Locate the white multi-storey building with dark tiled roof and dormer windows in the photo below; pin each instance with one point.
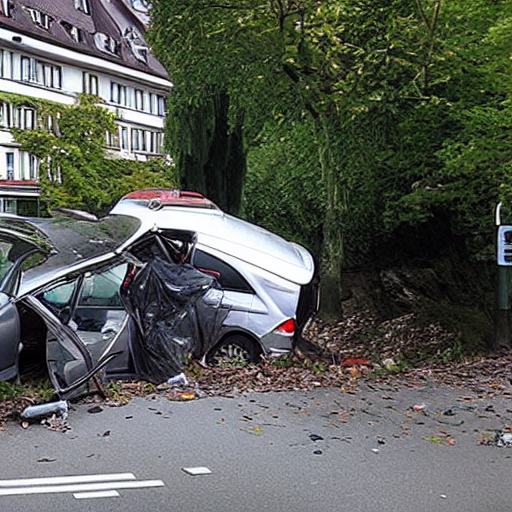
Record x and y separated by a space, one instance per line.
56 49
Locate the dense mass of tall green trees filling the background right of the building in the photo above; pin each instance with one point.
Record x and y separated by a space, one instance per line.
377 133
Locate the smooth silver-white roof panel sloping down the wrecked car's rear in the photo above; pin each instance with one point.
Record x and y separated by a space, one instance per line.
224 233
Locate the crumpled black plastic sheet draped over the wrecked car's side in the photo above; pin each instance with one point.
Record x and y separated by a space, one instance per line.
178 312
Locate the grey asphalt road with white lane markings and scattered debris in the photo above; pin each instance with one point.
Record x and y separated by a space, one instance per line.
378 450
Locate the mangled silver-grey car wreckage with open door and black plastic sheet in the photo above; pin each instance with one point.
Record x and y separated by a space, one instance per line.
165 276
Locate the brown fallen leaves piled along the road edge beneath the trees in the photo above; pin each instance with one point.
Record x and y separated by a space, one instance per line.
338 355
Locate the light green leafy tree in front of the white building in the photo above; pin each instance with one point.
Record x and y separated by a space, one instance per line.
75 171
